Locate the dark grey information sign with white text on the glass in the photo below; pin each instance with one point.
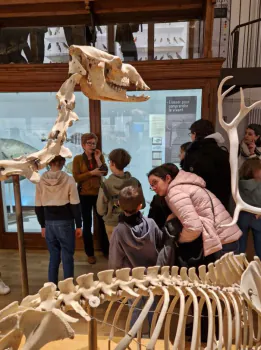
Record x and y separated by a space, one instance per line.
180 114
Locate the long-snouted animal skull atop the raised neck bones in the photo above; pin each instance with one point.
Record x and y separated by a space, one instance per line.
104 76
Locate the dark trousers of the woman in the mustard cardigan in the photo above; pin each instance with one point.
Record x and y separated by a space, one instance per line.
88 205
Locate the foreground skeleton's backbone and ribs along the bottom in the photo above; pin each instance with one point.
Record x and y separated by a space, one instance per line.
231 285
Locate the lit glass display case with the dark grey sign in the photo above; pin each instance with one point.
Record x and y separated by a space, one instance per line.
151 132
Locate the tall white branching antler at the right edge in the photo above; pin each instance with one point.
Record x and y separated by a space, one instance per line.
231 129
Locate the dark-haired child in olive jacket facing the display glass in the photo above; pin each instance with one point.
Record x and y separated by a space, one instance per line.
107 203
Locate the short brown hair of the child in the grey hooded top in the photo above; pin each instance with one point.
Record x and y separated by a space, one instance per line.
130 198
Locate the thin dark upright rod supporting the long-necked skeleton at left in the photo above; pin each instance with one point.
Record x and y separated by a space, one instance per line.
20 233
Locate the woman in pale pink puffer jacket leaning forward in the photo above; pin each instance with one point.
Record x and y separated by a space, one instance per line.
199 211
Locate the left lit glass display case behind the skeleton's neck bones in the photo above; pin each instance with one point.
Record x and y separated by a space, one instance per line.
26 119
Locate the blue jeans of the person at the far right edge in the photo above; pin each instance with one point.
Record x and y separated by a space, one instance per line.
246 222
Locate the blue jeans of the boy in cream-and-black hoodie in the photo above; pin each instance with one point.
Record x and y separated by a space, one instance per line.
60 238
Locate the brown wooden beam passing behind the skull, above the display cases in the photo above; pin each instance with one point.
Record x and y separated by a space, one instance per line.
49 77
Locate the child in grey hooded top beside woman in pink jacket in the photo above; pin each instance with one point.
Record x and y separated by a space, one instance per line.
136 240
